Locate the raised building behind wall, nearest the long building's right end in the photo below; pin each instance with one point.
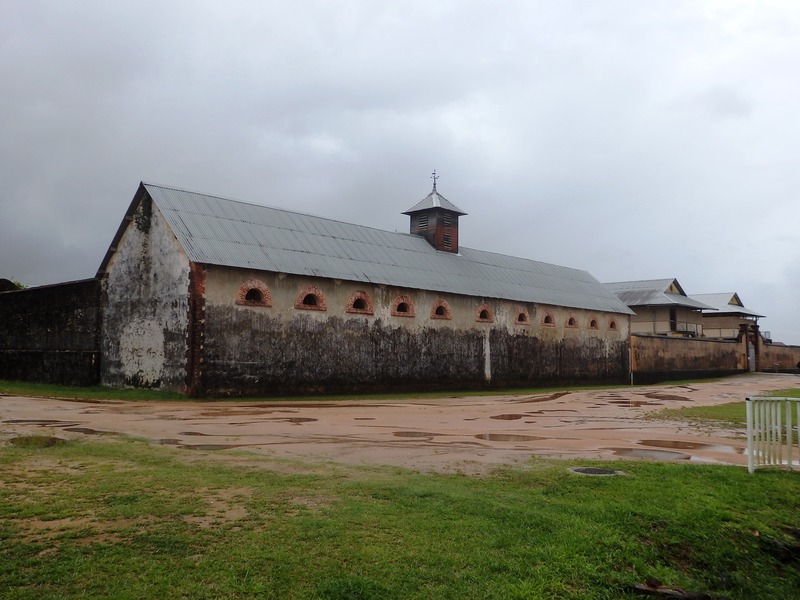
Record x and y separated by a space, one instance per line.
661 307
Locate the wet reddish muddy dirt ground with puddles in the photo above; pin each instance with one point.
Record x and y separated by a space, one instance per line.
456 434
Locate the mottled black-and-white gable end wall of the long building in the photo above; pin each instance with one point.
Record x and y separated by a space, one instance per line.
145 324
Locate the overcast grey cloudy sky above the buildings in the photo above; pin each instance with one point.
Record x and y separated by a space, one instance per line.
635 140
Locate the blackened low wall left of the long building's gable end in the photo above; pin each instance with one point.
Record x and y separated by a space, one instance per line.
51 334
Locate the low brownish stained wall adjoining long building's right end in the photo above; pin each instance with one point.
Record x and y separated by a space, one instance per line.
657 358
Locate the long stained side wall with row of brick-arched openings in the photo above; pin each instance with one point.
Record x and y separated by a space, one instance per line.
281 348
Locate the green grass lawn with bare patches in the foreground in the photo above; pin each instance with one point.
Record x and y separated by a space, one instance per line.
119 518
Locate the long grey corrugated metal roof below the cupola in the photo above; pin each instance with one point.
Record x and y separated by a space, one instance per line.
225 232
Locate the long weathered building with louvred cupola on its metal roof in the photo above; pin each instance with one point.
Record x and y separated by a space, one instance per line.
212 295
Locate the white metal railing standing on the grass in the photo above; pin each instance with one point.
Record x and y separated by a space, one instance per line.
773 437
